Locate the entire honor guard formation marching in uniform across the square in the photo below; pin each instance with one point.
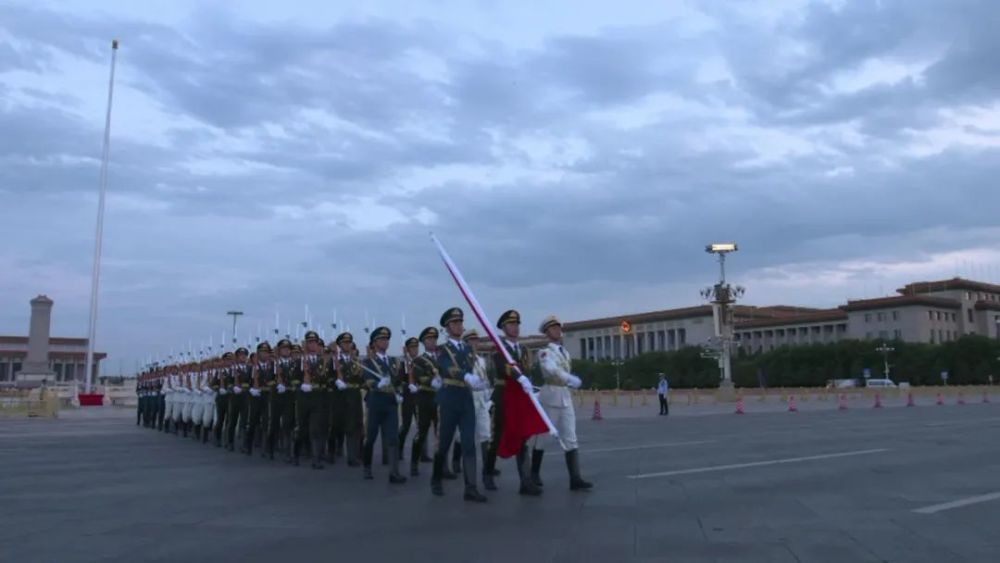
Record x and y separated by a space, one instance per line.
328 403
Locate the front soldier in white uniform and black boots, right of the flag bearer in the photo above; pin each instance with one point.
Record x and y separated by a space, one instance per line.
555 363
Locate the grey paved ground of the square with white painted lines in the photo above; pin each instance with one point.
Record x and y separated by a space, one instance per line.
816 485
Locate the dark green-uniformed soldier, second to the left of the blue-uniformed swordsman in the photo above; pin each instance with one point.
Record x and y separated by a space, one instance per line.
311 401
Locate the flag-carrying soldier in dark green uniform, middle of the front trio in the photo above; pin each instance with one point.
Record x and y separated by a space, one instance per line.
510 323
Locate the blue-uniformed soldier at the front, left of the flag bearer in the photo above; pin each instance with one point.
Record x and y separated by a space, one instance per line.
455 383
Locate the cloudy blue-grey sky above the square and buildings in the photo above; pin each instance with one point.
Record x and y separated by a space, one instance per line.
269 155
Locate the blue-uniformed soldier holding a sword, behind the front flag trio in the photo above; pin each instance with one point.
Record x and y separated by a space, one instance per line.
383 382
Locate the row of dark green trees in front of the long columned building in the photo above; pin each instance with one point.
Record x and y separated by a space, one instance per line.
969 360
